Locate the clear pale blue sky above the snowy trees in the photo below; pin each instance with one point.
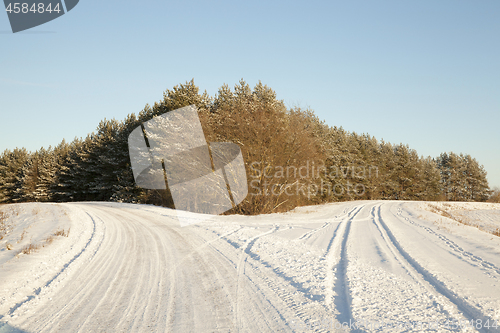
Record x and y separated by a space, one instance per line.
423 73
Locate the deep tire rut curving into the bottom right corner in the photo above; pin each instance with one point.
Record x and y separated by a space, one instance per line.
428 280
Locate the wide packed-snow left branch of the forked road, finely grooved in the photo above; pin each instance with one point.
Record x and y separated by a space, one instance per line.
130 287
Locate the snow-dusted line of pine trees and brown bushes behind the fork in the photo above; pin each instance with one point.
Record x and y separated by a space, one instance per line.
291 157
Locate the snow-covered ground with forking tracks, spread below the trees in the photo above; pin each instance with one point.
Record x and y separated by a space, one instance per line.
365 266
